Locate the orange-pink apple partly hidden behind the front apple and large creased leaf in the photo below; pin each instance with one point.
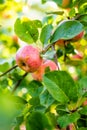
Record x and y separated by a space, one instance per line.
40 72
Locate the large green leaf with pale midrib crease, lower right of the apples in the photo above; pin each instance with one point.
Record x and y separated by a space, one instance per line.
61 86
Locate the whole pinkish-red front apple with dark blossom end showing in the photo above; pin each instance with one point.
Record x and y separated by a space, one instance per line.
28 58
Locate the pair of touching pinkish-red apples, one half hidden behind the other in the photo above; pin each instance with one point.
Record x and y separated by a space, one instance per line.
28 59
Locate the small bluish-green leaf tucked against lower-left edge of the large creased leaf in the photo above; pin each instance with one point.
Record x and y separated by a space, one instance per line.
46 99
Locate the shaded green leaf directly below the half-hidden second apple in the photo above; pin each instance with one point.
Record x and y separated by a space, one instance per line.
35 88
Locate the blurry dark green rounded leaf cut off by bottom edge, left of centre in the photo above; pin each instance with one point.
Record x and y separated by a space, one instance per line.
38 121
